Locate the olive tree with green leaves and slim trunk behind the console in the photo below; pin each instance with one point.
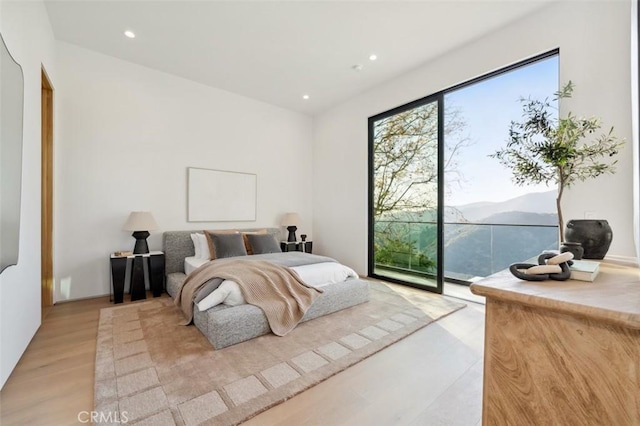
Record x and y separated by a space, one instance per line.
547 148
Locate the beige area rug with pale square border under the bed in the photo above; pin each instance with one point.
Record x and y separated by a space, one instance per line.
152 371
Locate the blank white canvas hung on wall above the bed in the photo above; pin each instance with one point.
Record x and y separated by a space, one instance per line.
221 196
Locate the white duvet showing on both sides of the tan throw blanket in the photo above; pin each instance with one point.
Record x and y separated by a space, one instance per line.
316 275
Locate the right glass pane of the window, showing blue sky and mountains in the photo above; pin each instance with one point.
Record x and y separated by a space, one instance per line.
490 221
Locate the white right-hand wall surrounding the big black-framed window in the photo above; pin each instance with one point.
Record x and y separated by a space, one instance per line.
593 38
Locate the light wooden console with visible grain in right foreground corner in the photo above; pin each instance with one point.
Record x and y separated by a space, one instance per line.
562 352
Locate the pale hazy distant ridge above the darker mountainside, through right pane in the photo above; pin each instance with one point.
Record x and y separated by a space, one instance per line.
536 202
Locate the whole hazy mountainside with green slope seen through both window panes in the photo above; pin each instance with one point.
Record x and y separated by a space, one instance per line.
483 238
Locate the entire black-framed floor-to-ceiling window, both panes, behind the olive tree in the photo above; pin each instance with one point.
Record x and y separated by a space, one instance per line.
440 207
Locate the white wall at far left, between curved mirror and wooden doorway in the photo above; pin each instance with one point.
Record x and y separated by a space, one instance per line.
28 35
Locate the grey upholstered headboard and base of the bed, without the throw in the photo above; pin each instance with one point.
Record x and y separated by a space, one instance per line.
225 325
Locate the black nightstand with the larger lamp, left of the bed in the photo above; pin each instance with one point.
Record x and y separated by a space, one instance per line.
155 269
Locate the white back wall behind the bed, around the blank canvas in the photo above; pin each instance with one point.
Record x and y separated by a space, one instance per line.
126 137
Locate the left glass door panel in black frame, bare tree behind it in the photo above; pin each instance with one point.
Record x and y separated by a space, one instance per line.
405 195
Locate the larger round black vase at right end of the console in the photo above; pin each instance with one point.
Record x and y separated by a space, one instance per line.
595 235
